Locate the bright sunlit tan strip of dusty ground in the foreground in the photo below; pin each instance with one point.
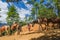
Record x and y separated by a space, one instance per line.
22 37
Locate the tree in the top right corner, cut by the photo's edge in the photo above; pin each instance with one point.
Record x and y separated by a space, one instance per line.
56 3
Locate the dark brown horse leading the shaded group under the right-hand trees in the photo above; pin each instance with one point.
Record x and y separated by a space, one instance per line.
42 23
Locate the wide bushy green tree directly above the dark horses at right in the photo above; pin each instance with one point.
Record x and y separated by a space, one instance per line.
46 10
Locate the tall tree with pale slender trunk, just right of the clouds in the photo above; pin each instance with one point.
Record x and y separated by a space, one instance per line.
34 9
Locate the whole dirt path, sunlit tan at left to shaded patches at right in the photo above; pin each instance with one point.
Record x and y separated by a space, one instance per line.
28 35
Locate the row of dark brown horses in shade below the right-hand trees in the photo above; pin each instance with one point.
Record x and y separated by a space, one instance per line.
47 23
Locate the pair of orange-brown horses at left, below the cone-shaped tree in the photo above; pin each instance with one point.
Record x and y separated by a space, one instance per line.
7 30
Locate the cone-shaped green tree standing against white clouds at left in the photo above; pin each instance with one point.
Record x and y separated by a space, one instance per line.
12 15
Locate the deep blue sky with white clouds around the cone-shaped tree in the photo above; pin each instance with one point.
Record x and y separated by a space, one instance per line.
22 8
